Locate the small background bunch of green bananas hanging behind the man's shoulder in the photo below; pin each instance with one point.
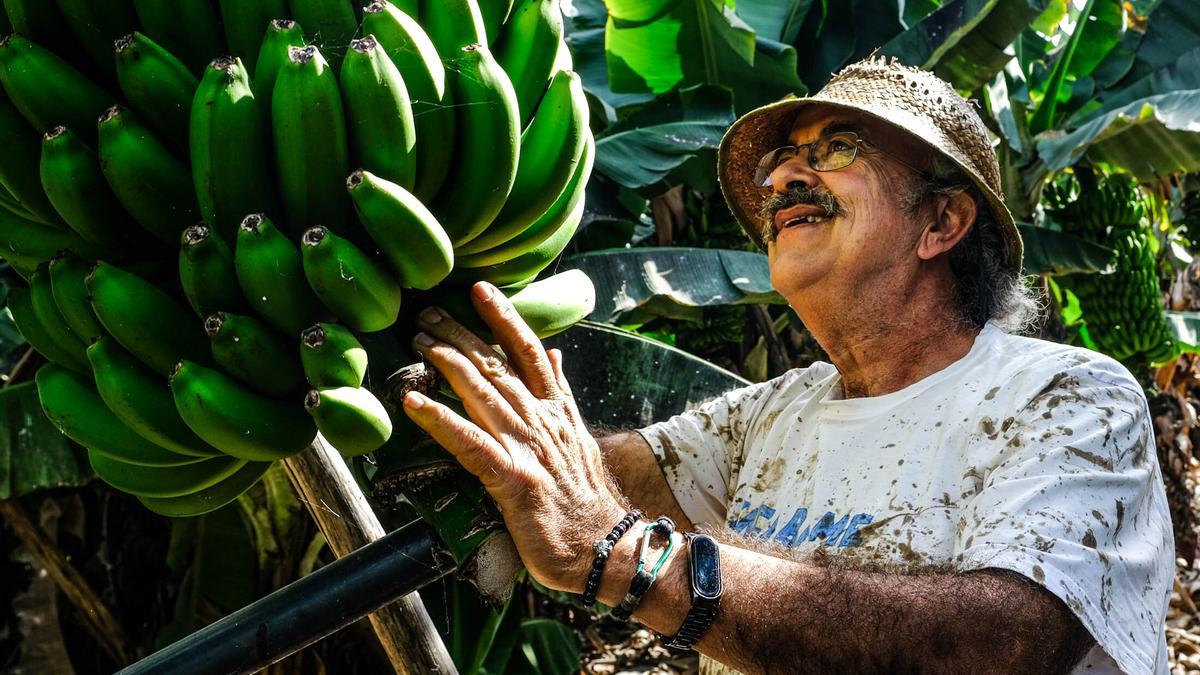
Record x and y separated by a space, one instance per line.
1123 310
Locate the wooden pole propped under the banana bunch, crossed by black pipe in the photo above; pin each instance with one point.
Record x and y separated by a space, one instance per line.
343 513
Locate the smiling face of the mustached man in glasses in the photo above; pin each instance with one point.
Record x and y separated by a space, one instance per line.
871 231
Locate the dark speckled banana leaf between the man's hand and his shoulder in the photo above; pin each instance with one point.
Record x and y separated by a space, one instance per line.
639 381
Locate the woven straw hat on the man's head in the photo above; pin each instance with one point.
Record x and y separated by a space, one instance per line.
916 101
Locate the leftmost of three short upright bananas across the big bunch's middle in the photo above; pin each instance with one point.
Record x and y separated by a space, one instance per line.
207 273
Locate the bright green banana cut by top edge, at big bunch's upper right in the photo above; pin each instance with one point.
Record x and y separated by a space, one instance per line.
529 49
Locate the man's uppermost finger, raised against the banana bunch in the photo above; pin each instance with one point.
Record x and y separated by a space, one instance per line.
519 342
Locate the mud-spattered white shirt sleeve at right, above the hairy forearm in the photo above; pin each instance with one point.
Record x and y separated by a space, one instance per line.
1075 501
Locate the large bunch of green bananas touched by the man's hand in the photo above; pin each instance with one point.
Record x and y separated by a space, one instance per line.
218 208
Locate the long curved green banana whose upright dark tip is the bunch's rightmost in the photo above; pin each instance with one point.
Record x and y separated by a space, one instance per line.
476 192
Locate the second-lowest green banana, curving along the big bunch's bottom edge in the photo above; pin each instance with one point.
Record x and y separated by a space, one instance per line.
163 481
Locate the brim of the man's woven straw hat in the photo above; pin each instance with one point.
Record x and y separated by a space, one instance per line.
767 128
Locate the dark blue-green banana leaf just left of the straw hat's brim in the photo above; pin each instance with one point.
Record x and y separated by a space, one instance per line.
646 147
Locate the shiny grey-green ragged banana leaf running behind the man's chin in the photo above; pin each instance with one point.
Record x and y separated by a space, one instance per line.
637 284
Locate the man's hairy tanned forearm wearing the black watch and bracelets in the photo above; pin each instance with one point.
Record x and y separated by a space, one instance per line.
785 617
